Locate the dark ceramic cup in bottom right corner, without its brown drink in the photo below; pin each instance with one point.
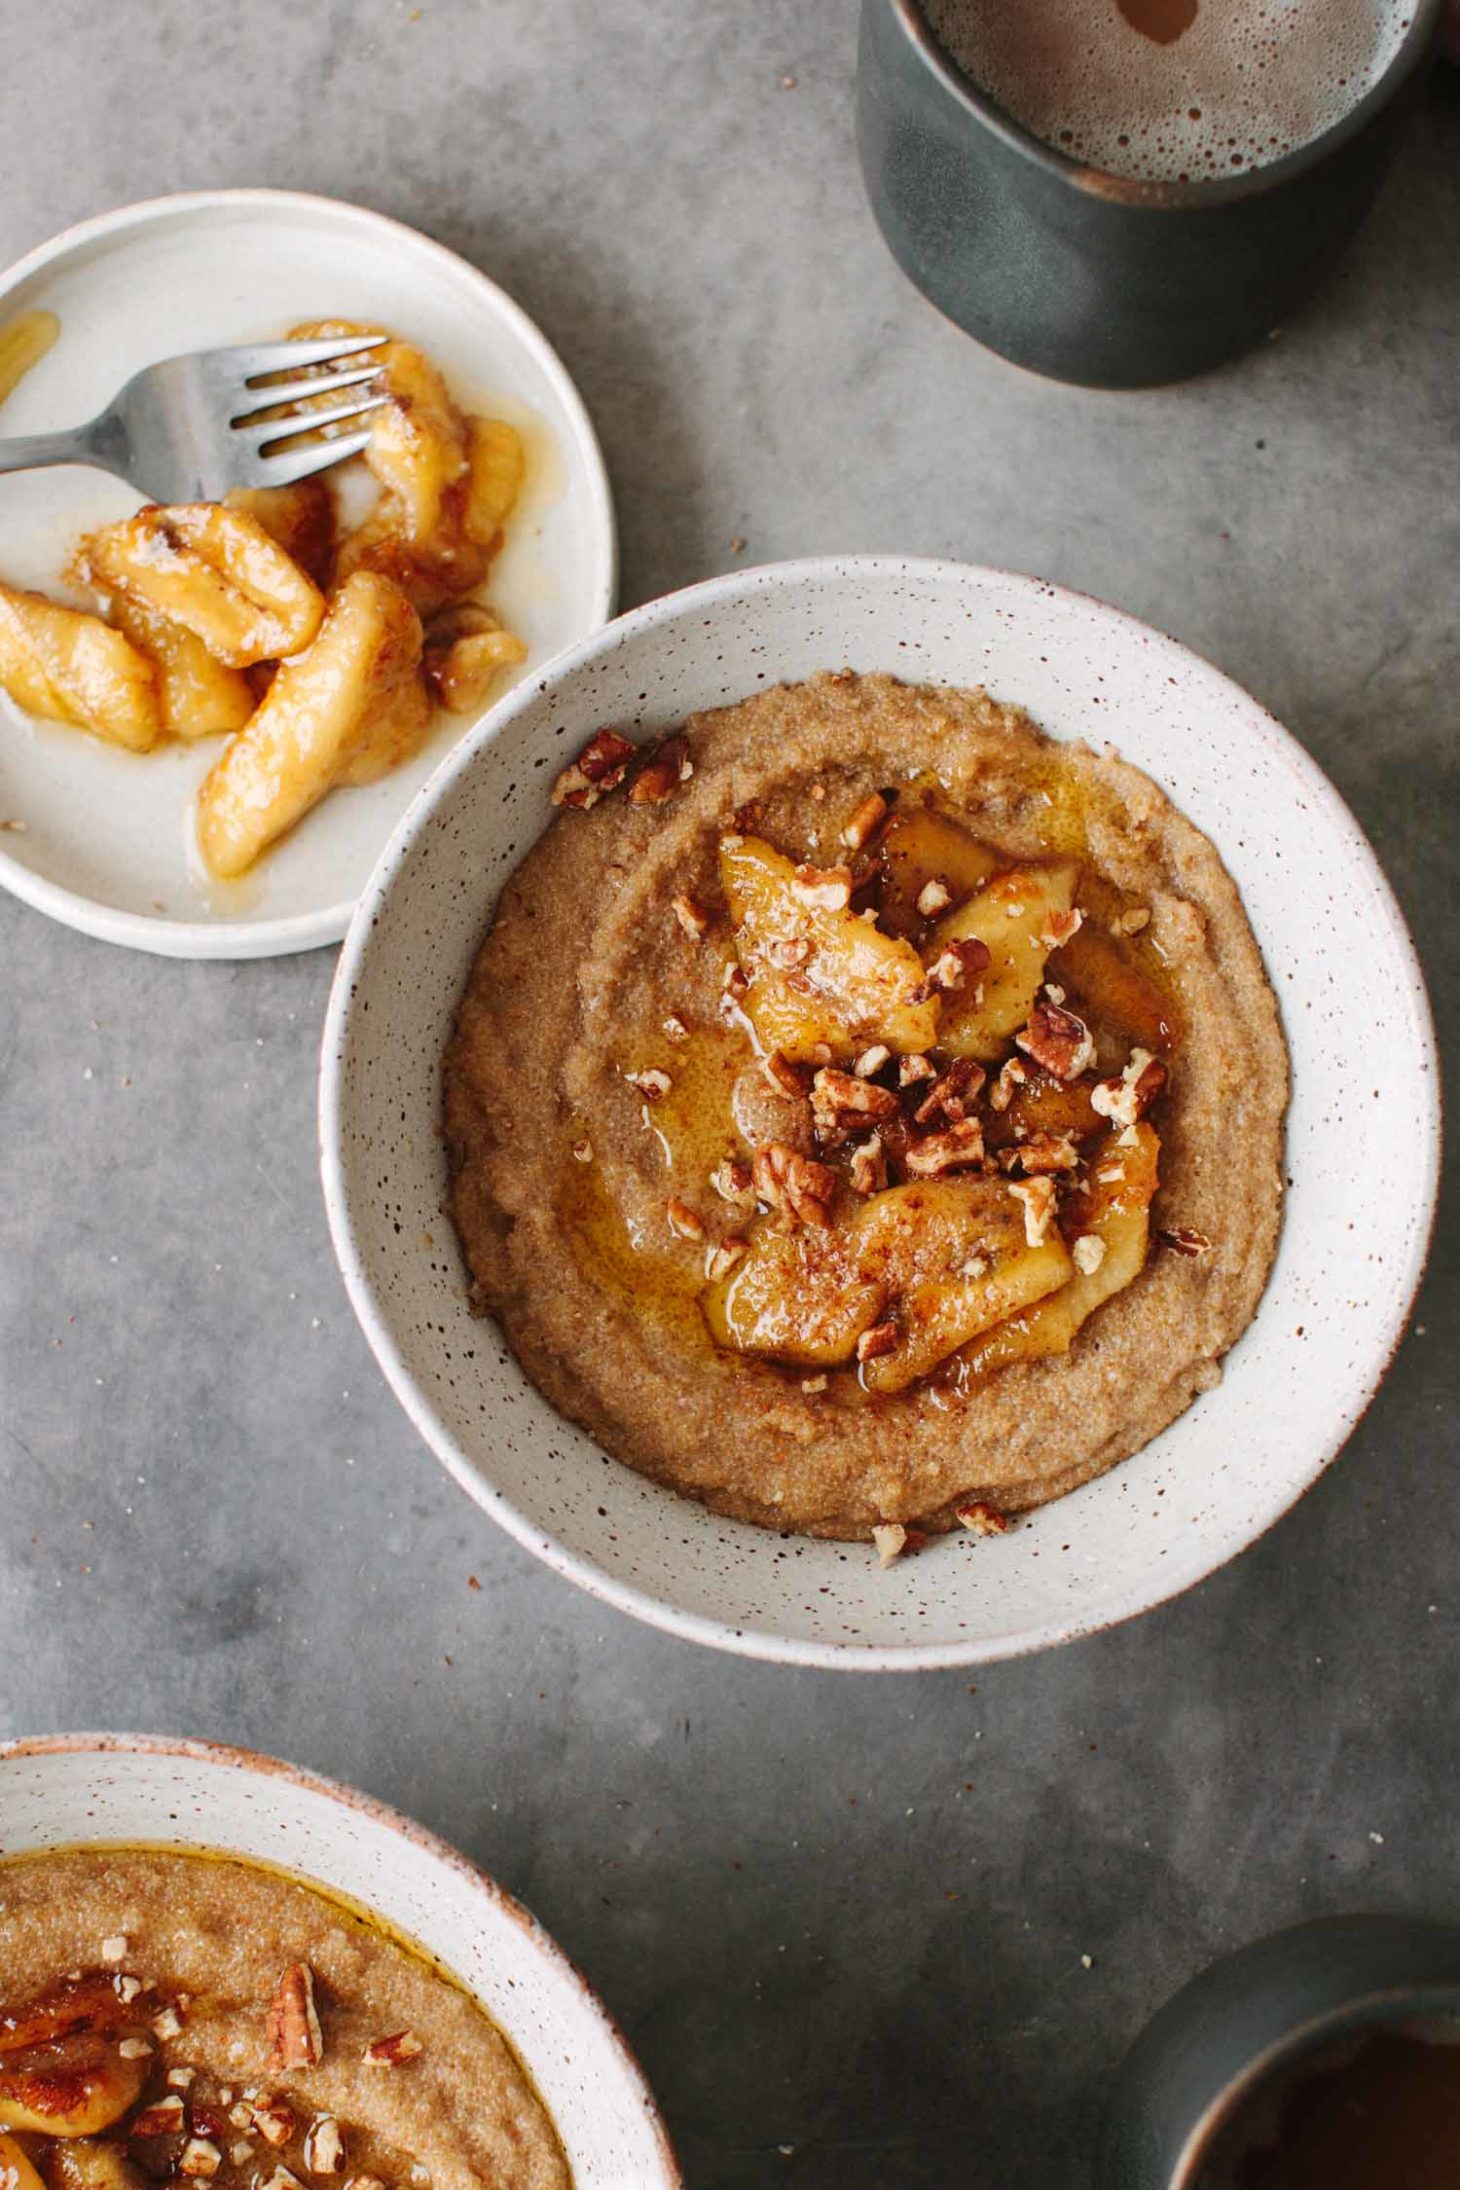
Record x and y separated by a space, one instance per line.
1258 2012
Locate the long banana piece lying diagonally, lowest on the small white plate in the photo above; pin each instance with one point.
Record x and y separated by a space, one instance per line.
316 722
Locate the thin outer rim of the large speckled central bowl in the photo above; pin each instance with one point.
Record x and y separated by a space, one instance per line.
763 1644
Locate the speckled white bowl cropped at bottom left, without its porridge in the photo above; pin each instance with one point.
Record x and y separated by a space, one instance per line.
95 1790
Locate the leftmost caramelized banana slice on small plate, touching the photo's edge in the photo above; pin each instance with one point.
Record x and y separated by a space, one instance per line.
73 669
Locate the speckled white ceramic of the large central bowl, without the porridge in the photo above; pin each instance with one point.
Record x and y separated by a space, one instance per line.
1363 1129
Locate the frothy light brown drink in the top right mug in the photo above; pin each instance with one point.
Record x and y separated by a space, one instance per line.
1174 91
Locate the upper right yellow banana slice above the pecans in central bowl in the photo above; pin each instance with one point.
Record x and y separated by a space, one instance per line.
1012 917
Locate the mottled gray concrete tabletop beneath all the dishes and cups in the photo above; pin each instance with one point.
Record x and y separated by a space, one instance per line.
844 1922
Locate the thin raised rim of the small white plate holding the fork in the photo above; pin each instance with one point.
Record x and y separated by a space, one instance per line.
299 932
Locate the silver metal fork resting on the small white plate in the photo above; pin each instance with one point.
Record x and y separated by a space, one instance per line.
192 428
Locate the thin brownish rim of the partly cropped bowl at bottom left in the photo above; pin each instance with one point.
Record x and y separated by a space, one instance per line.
395 1821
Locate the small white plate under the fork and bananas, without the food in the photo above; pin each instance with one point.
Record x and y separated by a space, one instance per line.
106 842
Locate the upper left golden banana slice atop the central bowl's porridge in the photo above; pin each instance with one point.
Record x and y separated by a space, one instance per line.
820 976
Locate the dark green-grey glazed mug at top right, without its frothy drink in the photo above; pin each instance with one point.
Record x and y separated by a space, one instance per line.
1091 277
